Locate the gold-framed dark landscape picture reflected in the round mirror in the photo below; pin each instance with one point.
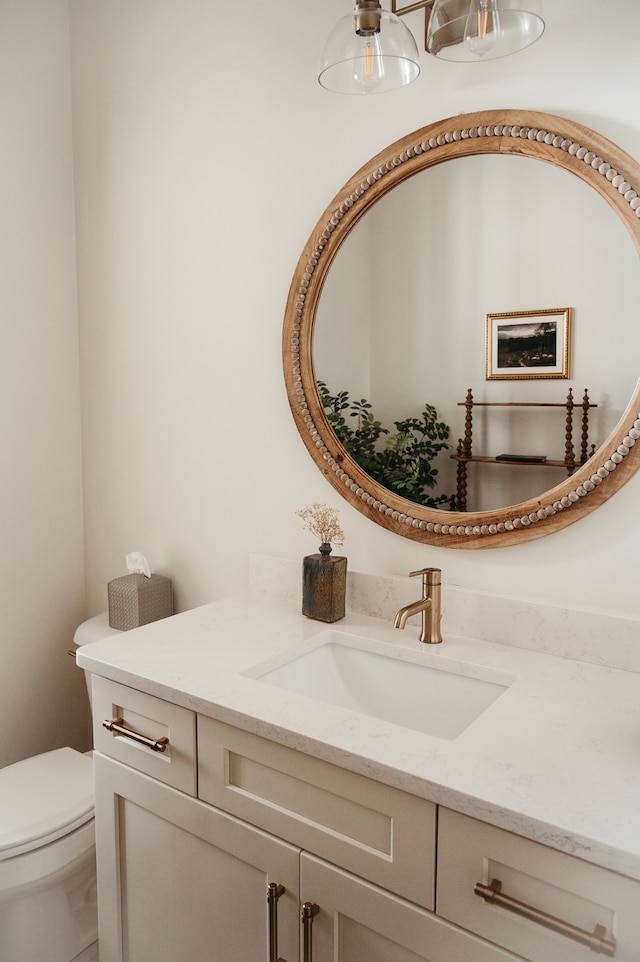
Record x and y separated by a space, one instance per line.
528 344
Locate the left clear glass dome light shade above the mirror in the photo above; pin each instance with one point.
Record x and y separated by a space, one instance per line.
368 51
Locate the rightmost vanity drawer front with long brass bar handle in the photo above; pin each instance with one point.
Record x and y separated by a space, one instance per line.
585 899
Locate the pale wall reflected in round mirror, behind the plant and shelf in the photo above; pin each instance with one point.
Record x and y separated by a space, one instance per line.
401 318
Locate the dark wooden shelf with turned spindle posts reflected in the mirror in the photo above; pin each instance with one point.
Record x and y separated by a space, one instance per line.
464 455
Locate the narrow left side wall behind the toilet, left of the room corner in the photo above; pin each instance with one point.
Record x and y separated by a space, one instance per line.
42 695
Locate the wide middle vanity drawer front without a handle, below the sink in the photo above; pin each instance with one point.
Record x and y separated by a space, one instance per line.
372 830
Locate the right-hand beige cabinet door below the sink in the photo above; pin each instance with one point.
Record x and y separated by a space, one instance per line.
359 922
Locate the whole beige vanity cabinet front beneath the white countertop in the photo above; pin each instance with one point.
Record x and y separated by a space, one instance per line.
217 844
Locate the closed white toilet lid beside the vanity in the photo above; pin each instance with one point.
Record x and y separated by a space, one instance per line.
43 798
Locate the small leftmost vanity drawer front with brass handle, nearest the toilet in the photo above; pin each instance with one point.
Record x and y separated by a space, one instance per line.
152 718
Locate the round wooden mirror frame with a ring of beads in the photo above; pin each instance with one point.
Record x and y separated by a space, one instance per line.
568 145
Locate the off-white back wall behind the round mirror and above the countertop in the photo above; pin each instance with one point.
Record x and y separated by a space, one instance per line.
205 151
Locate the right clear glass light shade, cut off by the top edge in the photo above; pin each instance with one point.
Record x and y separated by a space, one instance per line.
468 30
